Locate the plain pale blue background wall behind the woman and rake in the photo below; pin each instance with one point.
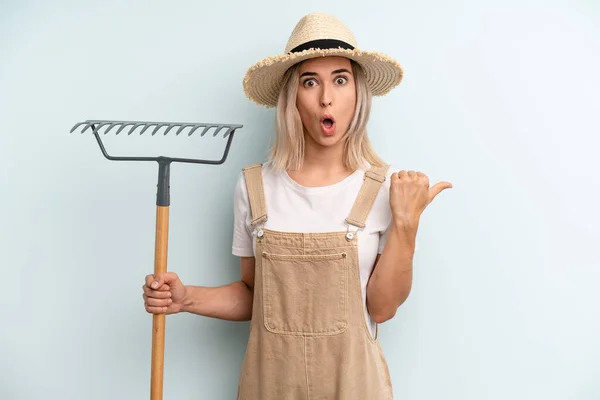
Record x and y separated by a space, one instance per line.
500 98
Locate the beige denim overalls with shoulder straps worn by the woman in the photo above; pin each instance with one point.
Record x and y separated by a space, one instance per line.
308 335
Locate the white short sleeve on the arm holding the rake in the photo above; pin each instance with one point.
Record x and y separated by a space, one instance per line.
242 245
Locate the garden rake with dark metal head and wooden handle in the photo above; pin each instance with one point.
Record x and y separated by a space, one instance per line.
162 208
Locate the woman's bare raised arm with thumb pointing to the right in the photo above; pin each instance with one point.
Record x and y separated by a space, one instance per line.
391 280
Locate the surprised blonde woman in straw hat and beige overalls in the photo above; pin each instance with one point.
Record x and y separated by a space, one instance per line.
325 230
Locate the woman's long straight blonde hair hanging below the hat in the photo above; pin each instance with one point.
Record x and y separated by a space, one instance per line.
288 150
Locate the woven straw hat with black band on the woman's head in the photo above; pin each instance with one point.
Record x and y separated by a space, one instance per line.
319 35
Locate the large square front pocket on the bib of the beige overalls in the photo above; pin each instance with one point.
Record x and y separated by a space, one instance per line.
305 294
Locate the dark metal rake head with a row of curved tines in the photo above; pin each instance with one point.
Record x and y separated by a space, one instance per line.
97 125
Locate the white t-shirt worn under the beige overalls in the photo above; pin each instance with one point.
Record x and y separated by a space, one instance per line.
295 208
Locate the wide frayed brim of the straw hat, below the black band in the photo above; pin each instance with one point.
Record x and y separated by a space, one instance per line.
263 80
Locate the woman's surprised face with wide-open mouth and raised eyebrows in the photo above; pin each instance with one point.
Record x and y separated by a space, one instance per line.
326 99
